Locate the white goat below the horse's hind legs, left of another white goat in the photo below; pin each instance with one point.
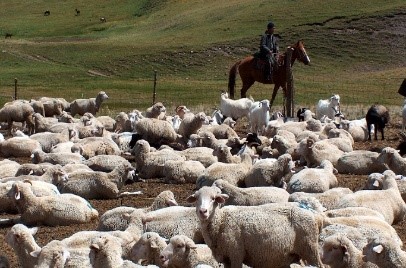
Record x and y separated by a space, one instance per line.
235 108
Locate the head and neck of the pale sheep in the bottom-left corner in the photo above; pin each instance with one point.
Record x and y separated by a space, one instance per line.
21 239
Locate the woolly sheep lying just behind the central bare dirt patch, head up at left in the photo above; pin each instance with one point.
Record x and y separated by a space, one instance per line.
151 164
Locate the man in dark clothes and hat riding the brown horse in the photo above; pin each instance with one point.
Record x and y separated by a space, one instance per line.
268 49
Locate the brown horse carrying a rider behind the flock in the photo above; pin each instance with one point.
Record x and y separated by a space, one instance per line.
249 74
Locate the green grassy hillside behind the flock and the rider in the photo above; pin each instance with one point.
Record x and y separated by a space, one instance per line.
357 49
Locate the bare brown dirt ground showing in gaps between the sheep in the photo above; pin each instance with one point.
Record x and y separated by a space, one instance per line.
152 188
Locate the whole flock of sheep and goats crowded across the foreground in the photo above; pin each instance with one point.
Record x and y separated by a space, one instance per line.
268 199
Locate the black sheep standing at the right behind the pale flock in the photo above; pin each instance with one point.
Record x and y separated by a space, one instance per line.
377 115
